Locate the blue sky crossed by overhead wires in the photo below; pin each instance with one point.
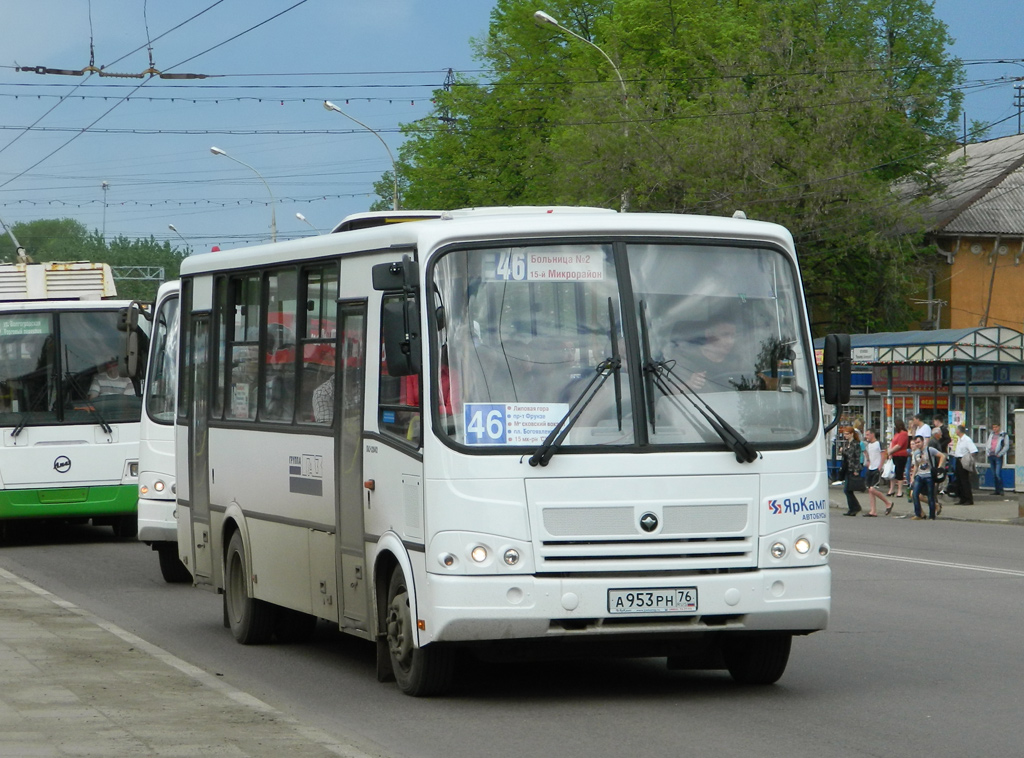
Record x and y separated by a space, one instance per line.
132 156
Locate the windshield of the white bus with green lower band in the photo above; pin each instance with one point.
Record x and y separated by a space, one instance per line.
62 367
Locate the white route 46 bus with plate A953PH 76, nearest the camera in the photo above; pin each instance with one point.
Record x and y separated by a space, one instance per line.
505 430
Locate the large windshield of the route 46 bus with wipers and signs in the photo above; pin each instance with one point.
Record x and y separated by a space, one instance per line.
526 329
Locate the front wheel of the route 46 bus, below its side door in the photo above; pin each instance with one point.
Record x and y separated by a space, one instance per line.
419 671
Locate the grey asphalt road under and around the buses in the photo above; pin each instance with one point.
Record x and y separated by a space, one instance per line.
923 658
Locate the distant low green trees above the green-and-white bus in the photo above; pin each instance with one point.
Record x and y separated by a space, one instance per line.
67 240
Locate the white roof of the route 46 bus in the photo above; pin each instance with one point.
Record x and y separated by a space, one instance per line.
484 225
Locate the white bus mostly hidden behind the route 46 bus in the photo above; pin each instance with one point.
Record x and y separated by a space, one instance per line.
157 525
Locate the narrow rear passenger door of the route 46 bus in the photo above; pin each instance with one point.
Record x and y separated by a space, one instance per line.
199 462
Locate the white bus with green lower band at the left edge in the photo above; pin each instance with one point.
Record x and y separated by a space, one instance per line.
69 415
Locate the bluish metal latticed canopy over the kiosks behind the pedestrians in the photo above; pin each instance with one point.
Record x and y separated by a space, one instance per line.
978 346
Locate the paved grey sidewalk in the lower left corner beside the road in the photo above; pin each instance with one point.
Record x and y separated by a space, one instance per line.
73 685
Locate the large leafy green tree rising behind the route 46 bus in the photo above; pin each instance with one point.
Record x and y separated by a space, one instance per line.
807 113
